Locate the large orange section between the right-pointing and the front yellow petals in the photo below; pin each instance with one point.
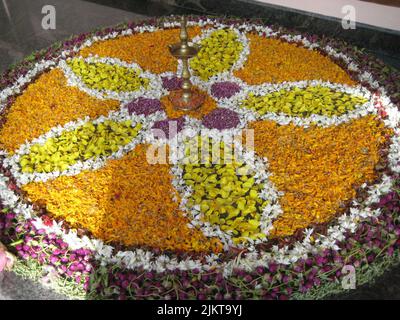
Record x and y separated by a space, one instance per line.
318 168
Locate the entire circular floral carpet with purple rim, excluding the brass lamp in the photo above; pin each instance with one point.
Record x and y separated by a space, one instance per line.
310 188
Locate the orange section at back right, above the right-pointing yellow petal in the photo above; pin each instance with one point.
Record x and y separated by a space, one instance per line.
275 61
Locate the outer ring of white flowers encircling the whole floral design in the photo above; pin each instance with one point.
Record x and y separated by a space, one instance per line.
145 259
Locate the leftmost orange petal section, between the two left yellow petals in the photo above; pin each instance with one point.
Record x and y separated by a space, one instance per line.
46 103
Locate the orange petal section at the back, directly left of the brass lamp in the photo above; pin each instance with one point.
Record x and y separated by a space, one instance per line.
148 49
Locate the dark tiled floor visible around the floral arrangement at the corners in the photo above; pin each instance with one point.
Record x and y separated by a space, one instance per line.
21 33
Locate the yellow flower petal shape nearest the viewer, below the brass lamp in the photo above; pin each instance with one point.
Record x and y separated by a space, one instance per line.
223 188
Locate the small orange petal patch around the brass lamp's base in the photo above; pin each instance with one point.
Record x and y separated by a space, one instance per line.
208 106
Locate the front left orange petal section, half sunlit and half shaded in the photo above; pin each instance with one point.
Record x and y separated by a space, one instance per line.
128 201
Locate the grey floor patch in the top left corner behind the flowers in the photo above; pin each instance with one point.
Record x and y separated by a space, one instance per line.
21 29
